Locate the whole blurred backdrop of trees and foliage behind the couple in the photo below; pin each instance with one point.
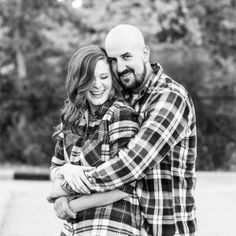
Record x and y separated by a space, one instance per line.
194 41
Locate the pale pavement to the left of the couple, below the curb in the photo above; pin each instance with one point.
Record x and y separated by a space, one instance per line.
24 210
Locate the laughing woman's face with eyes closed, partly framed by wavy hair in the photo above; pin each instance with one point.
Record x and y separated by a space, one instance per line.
99 92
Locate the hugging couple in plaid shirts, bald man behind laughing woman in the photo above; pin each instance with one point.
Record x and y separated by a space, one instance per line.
125 152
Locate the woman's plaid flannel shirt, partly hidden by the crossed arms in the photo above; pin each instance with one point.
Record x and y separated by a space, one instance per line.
109 130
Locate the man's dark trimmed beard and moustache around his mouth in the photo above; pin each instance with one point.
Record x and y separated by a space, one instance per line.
137 81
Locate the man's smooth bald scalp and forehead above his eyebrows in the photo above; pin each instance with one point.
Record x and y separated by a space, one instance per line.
126 34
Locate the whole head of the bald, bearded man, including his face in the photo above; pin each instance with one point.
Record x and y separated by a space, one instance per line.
129 56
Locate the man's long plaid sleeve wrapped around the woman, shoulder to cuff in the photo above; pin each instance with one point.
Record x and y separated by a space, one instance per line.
165 123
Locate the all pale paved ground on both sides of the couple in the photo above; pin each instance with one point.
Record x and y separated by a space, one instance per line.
25 212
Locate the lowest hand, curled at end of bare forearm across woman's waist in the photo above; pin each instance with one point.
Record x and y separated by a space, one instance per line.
62 209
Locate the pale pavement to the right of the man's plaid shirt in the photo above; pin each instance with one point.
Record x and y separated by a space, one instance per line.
216 204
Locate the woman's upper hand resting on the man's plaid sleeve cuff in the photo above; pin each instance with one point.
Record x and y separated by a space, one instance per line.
76 178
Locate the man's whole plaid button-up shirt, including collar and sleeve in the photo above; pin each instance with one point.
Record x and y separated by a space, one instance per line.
162 156
